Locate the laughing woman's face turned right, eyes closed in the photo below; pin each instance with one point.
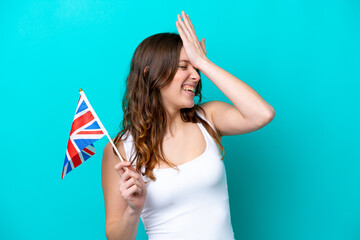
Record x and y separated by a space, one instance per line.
181 91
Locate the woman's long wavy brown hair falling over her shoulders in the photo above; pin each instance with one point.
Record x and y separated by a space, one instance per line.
153 66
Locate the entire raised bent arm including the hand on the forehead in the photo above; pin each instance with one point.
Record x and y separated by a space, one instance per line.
250 112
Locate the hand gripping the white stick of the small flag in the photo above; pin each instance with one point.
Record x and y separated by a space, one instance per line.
131 186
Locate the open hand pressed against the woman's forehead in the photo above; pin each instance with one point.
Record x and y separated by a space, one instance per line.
194 49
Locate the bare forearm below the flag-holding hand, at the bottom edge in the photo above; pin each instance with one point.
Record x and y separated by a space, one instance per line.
126 228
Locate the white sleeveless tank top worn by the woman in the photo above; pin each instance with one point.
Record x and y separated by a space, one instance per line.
191 203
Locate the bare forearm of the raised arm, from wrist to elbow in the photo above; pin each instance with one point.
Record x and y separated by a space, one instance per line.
245 99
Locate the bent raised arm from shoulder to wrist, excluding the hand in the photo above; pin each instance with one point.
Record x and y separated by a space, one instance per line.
250 111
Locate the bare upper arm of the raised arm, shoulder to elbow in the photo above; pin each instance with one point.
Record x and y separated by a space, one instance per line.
228 120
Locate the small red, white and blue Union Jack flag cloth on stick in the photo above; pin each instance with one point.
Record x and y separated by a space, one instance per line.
85 130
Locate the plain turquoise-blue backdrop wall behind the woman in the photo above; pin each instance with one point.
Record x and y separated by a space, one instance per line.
296 178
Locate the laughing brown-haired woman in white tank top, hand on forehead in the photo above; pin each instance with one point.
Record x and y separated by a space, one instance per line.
179 185
